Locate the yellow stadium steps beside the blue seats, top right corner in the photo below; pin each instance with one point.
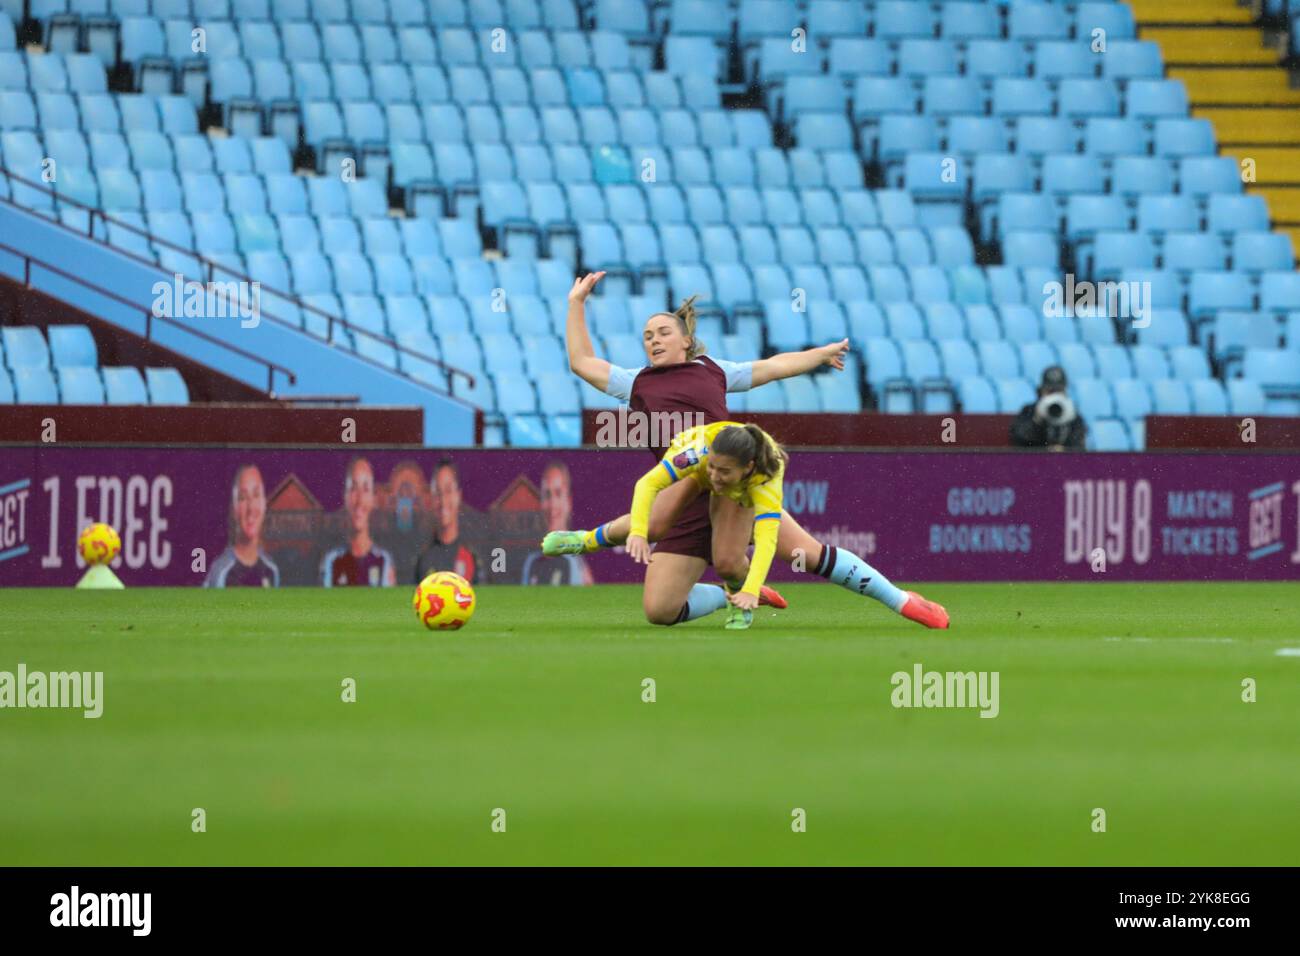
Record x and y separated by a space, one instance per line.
1237 81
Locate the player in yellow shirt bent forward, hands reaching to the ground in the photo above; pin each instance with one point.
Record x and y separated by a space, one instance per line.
729 461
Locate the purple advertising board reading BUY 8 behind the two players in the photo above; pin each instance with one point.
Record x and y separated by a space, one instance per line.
957 516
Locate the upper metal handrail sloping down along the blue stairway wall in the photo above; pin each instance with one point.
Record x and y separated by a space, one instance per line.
213 266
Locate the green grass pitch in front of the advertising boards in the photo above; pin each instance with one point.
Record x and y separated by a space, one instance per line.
1125 698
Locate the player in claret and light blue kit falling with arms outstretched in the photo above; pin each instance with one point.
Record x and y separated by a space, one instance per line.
682 379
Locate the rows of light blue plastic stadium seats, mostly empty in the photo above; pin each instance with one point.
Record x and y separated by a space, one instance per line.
512 165
